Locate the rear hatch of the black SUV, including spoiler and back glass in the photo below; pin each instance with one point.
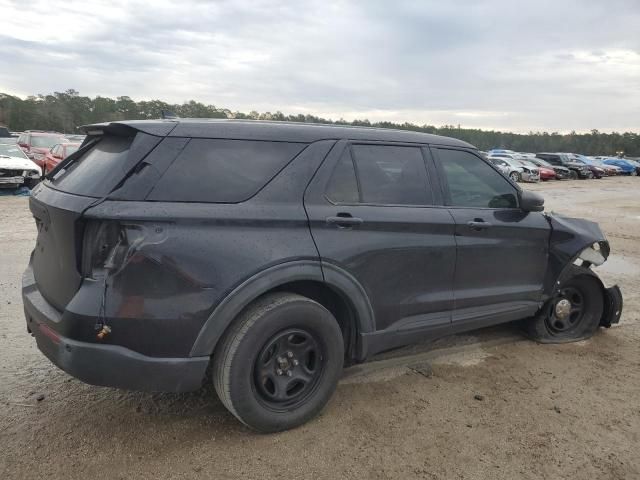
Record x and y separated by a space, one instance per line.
85 178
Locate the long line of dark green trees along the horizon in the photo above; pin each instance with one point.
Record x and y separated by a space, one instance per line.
65 111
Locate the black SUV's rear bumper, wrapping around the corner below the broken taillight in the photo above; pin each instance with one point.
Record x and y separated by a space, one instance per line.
106 365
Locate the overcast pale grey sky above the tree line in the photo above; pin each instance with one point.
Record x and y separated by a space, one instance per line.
556 65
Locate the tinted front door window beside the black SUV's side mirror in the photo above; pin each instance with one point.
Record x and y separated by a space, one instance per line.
473 183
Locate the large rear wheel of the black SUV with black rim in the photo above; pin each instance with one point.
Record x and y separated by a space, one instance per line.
279 363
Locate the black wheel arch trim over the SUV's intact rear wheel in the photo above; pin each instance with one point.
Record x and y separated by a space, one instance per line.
329 285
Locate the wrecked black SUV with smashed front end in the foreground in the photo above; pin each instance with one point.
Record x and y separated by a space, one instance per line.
269 255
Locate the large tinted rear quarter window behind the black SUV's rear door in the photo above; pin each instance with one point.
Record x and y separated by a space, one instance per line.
222 171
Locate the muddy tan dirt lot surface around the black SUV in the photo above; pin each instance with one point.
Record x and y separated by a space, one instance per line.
487 405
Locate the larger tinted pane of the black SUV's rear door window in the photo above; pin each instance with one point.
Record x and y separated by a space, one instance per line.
391 175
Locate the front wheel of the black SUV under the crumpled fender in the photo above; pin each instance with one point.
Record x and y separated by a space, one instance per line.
581 295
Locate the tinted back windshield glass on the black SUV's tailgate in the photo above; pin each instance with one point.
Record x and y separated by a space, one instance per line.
98 171
